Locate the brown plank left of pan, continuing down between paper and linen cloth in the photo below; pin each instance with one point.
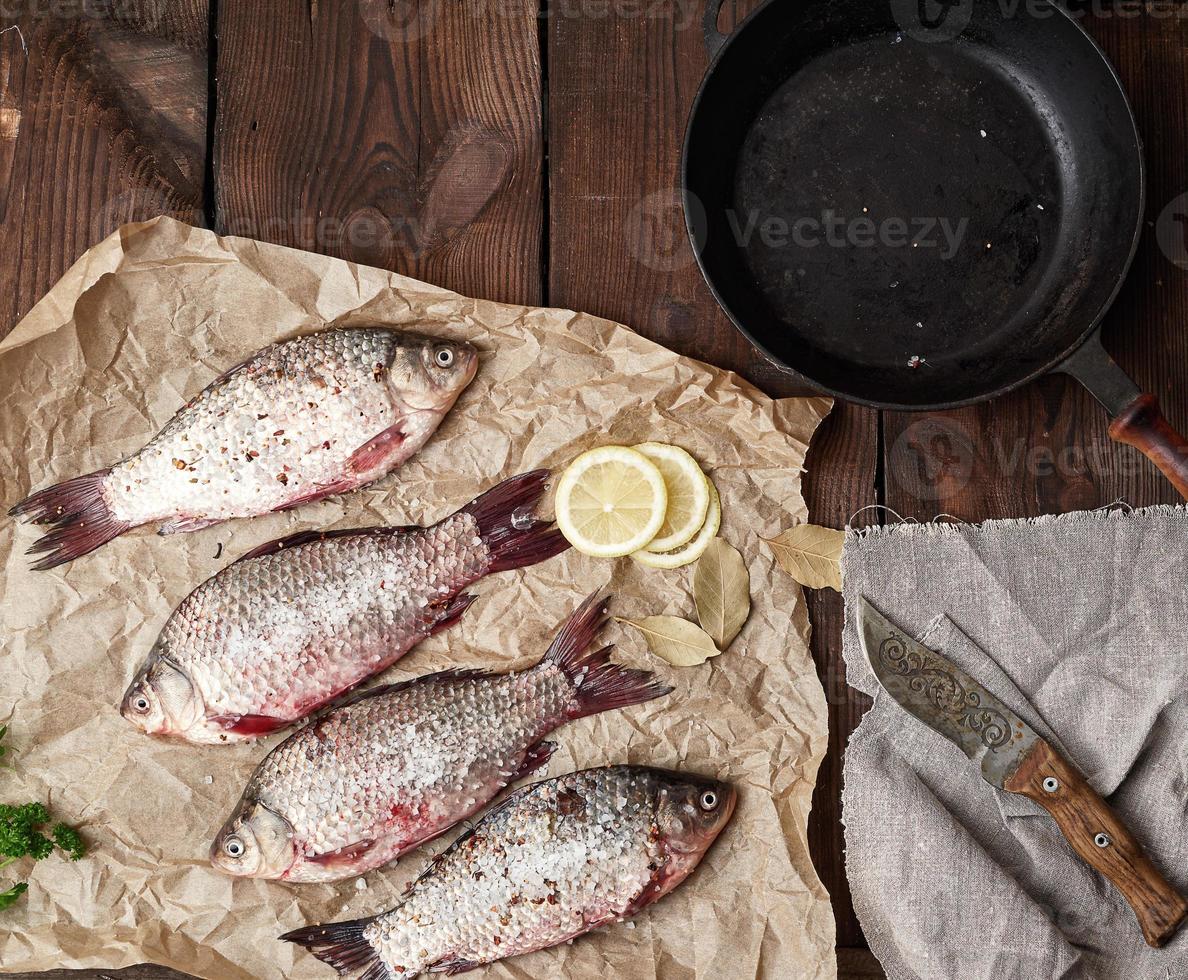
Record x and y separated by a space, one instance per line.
620 92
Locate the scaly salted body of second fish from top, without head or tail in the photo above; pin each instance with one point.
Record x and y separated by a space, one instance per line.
288 616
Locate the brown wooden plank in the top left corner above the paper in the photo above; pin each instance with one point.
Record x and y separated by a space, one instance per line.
103 121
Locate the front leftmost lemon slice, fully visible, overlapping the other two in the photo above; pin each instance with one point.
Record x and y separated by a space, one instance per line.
611 502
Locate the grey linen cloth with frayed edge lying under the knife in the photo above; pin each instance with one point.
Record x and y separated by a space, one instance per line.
1080 624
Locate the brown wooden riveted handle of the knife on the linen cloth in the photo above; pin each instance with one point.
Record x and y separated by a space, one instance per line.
1102 839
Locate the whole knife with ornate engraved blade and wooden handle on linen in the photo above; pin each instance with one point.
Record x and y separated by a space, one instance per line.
1015 758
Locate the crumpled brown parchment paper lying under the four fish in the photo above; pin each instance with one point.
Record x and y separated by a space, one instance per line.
149 318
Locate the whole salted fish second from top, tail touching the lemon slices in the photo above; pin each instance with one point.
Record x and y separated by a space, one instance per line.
299 622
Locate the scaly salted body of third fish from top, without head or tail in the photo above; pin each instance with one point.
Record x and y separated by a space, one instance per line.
382 750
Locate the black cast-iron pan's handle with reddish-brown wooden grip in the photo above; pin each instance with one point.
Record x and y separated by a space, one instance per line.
1136 419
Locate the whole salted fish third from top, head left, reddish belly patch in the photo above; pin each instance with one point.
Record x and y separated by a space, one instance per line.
403 763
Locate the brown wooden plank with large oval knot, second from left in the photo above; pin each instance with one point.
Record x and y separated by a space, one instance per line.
407 137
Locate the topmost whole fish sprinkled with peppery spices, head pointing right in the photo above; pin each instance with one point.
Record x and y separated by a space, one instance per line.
318 415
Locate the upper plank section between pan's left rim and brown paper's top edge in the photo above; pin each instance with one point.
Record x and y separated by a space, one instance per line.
621 87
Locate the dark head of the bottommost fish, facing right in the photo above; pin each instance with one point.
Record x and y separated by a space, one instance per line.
691 813
